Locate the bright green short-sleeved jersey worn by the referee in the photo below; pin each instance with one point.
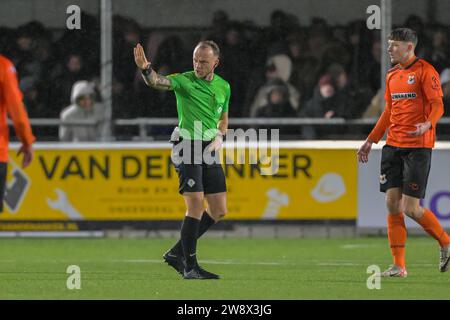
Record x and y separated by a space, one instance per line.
200 104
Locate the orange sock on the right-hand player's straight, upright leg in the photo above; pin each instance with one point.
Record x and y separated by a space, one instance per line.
397 237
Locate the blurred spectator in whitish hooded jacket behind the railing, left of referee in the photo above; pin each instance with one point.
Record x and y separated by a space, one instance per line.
83 107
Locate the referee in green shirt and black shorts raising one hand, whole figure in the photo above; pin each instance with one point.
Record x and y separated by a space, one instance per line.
202 105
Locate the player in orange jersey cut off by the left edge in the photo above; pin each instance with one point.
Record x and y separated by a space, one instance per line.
11 103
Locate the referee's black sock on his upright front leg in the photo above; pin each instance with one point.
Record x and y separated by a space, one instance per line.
189 234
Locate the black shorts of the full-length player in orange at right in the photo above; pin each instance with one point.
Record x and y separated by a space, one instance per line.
405 168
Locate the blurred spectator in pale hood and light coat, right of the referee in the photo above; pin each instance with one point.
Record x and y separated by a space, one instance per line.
279 68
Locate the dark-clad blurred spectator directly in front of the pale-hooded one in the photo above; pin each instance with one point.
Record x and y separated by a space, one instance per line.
278 105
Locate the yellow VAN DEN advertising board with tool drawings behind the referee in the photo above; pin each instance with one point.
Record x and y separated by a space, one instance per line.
106 183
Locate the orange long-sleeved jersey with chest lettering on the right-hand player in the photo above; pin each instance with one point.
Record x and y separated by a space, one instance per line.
411 91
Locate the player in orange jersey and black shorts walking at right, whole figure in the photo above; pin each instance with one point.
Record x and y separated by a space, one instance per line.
413 107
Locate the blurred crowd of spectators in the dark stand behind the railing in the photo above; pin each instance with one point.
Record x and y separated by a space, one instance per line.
287 69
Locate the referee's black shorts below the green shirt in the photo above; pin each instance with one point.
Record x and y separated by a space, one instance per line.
194 173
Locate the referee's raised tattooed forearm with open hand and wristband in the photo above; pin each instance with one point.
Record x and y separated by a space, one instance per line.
150 76
